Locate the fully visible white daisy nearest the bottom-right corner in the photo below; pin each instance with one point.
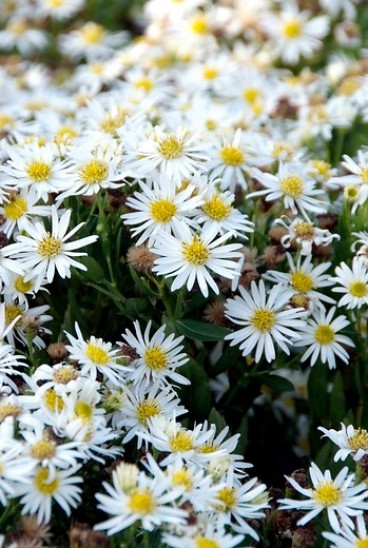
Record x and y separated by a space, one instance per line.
339 497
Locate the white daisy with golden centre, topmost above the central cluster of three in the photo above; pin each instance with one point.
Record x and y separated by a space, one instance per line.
178 154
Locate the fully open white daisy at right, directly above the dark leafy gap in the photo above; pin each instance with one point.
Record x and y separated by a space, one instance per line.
265 320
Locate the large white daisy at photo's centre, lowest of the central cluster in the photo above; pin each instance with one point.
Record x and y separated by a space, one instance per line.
191 257
